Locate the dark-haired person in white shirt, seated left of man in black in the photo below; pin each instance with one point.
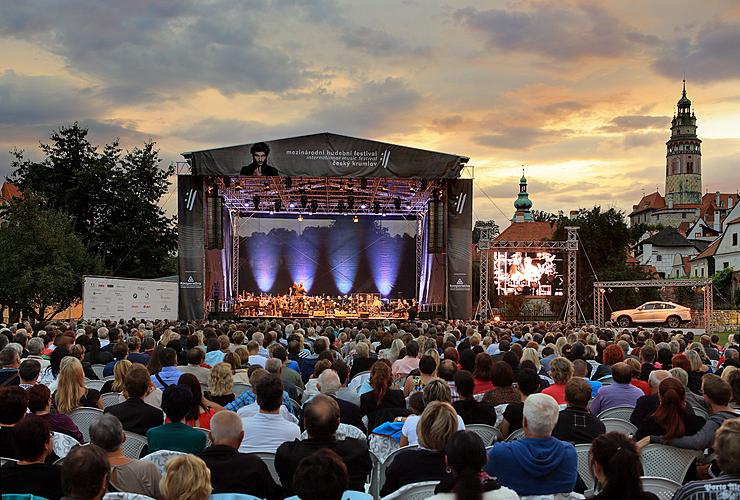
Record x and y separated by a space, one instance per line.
267 429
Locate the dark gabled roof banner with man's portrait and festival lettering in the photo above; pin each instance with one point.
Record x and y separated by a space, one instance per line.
325 155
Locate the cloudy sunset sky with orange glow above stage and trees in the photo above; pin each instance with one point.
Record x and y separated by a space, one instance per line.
580 92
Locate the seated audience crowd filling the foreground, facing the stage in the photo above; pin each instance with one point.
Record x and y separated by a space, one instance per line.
304 408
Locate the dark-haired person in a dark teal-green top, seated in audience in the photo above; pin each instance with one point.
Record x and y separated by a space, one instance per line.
177 400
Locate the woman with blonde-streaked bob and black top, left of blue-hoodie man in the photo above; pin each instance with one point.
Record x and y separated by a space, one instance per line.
436 427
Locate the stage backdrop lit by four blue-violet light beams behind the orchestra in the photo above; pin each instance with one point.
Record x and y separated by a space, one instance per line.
329 255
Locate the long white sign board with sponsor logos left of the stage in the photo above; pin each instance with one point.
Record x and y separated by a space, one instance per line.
115 298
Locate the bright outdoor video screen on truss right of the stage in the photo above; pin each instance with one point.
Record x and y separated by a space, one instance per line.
527 273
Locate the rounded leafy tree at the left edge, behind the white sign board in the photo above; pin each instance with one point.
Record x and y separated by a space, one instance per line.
42 260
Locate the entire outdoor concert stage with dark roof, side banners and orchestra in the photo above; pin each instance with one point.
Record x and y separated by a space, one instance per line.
343 216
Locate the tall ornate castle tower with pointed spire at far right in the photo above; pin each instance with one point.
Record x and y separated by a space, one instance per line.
683 157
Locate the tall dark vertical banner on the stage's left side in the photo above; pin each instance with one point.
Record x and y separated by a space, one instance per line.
191 246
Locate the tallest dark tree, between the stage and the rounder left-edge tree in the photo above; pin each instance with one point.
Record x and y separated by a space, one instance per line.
112 197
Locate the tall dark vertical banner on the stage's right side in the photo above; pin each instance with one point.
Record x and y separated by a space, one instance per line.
459 243
